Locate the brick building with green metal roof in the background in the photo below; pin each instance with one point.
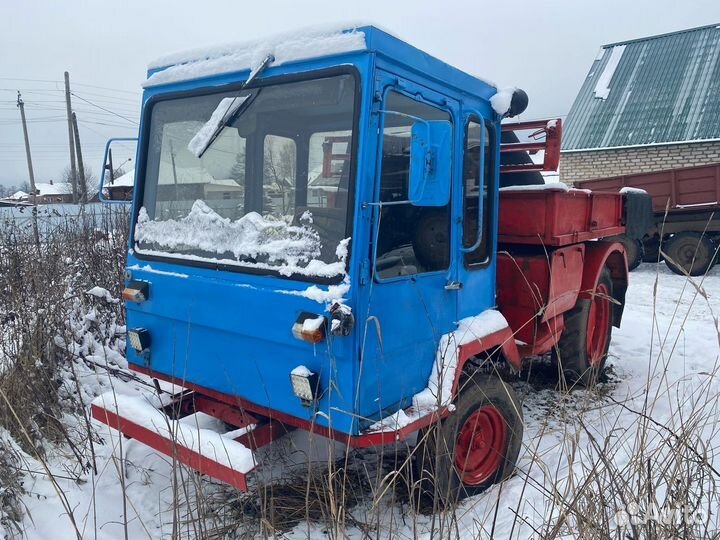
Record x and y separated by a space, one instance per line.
646 105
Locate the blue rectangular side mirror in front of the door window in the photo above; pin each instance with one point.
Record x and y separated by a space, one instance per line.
430 160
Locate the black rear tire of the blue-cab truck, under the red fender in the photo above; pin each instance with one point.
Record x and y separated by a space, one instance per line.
571 352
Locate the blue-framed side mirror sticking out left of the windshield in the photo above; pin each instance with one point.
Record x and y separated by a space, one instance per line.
117 175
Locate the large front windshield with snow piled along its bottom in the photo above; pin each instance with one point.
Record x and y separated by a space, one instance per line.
270 190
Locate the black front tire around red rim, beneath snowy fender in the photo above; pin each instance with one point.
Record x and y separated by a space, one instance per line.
440 481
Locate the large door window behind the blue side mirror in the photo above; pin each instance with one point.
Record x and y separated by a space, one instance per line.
411 239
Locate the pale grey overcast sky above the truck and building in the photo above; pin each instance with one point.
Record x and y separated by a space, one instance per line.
544 47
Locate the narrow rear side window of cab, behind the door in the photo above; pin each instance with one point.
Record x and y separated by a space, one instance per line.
478 142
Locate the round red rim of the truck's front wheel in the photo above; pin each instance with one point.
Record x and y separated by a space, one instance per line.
480 446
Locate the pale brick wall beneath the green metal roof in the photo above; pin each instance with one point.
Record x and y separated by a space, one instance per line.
575 166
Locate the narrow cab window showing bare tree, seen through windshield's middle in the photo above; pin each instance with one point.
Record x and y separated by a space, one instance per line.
279 173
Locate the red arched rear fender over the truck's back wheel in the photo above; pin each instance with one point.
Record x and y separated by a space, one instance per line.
599 255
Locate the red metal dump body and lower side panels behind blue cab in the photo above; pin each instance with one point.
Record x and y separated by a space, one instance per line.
537 286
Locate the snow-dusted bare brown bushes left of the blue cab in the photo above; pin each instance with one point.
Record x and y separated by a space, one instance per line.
41 299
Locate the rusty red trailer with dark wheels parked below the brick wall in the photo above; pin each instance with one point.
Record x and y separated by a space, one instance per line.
685 230
